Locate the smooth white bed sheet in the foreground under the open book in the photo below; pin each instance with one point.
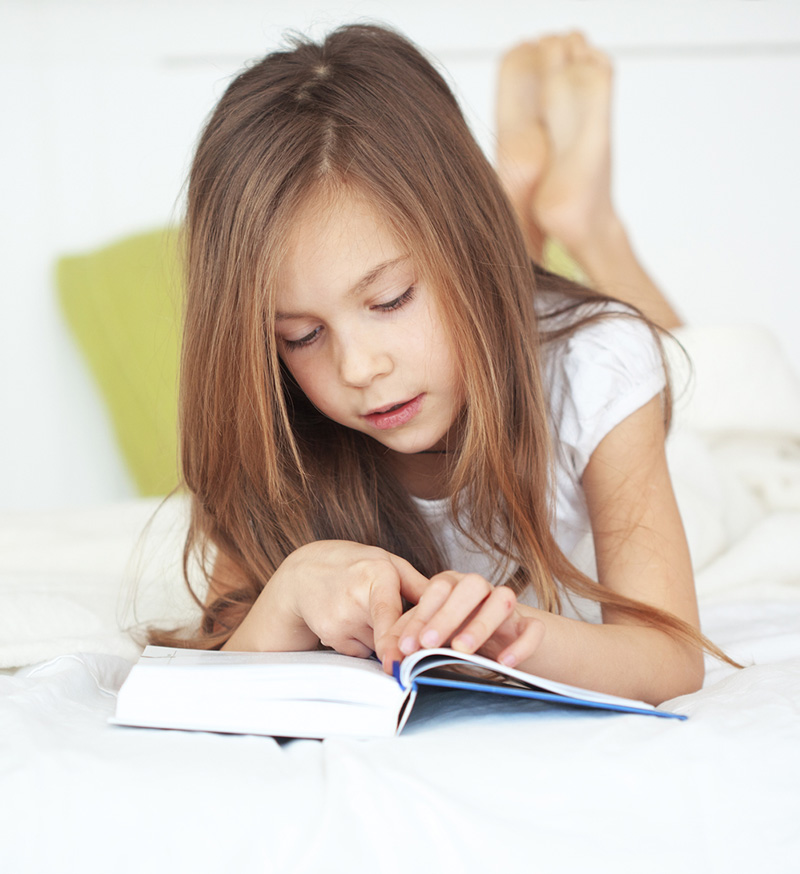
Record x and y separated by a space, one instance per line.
473 788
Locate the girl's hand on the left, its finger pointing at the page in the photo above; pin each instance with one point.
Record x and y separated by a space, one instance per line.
342 594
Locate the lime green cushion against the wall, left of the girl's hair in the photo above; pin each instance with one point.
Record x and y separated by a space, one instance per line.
123 305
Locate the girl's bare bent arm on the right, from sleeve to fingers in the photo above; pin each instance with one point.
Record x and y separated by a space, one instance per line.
641 553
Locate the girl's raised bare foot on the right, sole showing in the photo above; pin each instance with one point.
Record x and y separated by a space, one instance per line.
572 198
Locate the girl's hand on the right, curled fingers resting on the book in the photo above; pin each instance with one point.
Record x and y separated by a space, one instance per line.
470 614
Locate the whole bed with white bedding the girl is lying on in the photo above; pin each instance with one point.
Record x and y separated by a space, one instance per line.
467 787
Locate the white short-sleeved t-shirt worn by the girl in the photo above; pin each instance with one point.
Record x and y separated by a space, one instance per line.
594 379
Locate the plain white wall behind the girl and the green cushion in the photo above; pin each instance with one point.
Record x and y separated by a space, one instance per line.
102 101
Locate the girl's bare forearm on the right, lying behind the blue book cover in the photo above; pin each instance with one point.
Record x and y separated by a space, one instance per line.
633 661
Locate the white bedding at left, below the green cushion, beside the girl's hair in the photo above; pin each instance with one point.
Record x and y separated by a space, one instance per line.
80 580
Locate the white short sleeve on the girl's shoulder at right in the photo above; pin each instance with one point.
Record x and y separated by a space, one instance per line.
598 376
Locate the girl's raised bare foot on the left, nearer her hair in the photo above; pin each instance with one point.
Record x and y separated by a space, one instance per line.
521 139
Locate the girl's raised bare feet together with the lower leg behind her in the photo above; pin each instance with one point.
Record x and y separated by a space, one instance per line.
554 158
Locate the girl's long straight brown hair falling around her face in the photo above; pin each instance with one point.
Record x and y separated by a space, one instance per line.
364 112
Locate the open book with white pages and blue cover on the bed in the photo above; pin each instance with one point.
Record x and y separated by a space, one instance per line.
318 694
